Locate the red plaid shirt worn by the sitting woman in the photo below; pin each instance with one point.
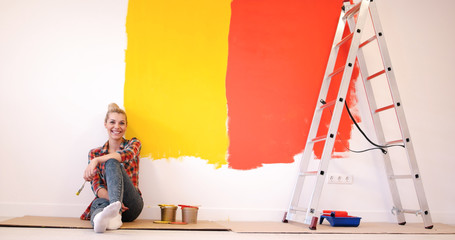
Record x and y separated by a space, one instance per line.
129 151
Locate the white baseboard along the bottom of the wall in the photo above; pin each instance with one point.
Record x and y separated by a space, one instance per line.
205 213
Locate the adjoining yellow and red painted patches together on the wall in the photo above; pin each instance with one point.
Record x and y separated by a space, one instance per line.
231 82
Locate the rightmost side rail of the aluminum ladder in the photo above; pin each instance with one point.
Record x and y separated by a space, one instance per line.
401 119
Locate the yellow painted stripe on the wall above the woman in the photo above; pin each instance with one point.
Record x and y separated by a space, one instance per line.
176 62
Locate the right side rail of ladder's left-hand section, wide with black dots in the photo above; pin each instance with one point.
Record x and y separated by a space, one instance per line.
336 115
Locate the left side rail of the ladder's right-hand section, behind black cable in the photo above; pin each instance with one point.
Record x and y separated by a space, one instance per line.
379 131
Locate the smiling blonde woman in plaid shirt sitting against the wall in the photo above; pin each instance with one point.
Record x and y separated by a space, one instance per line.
113 171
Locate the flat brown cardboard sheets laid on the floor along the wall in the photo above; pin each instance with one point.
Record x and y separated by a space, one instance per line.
240 227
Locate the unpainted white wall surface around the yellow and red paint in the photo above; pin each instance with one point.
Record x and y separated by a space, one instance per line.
62 62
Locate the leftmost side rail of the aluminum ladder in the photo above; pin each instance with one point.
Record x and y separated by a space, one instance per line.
306 156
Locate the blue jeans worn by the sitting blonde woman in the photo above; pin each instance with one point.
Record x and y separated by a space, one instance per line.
120 188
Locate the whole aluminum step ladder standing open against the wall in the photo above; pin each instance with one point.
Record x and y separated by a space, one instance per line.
353 17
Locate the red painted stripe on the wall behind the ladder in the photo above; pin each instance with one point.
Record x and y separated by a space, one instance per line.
278 51
